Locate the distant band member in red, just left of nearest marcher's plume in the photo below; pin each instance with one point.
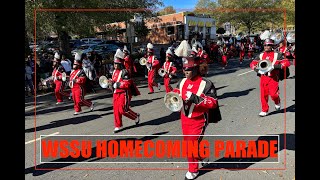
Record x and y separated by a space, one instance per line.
169 68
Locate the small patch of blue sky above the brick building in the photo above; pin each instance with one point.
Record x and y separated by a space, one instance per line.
180 5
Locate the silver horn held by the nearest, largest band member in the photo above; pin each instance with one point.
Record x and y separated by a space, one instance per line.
173 101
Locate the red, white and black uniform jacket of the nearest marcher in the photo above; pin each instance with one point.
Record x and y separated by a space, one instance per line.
206 102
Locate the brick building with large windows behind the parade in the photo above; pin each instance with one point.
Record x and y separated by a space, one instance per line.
167 28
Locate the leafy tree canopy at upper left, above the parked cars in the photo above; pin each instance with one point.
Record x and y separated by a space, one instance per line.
81 23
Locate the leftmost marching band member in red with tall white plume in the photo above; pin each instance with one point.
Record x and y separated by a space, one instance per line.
57 79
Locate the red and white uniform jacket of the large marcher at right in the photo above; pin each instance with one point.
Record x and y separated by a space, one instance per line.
275 58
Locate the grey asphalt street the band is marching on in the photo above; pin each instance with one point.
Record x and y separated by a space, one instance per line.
239 100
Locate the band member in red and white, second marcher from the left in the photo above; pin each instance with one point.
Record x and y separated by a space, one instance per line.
77 82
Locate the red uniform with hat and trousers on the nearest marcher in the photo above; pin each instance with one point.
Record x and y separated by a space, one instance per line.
196 113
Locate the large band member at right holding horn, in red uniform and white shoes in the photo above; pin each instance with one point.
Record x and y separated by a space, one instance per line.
269 82
